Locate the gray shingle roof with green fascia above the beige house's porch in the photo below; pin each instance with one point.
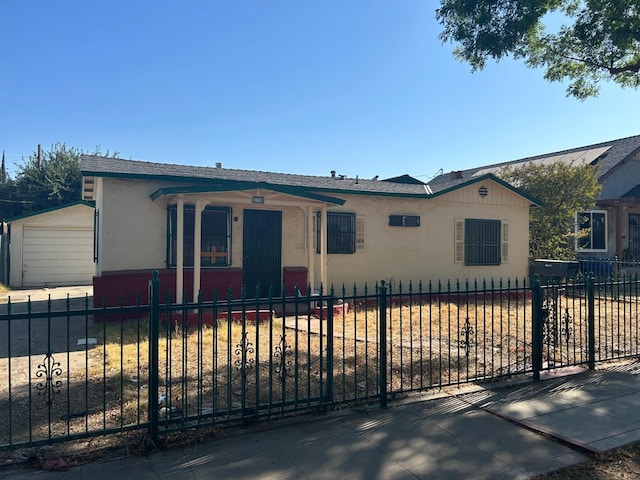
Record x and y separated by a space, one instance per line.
91 165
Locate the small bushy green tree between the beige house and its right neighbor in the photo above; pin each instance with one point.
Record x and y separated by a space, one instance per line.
563 190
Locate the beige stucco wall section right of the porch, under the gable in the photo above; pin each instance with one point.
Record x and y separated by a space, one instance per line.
427 252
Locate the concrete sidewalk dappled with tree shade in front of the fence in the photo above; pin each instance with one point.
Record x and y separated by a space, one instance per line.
501 433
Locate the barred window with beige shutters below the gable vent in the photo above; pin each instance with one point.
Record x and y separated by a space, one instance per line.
480 242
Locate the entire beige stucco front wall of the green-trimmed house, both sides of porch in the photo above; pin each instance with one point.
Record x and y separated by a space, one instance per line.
134 232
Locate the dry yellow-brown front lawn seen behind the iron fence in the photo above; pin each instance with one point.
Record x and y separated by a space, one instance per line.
233 369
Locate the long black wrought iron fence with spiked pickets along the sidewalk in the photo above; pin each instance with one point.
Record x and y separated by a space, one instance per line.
69 371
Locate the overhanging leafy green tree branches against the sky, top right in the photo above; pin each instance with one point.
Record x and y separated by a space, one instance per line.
582 41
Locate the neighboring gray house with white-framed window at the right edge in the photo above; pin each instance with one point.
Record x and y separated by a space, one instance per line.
614 225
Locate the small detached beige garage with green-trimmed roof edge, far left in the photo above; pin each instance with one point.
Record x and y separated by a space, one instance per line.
53 247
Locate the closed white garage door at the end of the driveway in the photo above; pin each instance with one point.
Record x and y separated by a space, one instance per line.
57 256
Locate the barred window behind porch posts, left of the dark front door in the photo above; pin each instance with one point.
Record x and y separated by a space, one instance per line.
215 237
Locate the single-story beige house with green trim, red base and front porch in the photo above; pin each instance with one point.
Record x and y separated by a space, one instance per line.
261 229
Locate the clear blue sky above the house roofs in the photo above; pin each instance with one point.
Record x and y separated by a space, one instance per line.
361 87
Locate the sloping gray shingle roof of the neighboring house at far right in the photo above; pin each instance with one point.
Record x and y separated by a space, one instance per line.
618 151
